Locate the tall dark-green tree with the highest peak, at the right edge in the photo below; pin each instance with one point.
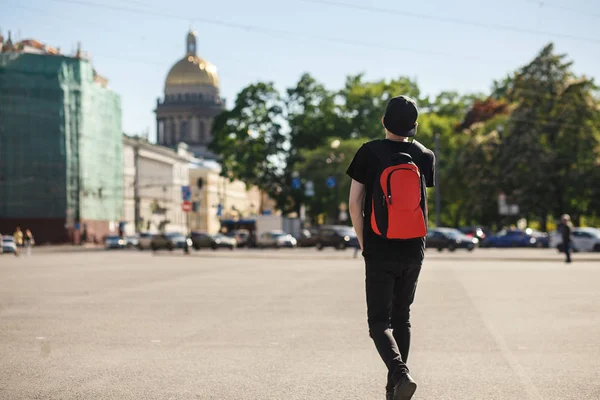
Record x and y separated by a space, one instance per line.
549 147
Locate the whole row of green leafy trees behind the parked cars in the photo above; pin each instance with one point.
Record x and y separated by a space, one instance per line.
535 138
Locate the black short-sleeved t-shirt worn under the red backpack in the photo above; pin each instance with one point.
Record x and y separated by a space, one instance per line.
364 169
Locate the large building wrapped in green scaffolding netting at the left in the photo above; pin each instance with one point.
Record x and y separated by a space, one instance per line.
61 148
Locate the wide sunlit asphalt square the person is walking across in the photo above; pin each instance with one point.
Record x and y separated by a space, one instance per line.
291 324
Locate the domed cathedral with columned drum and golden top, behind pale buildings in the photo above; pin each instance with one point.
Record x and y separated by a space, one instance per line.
190 104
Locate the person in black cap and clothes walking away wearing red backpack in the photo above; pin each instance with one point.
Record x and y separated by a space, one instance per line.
390 175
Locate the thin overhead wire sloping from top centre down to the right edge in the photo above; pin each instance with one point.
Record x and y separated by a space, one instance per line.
389 11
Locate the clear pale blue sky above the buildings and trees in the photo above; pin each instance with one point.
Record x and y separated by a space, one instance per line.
460 45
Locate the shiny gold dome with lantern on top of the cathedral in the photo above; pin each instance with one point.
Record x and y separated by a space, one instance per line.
192 70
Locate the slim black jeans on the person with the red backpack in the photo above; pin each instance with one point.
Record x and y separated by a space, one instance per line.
391 287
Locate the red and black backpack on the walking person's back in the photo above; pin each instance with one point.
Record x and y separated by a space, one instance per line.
398 205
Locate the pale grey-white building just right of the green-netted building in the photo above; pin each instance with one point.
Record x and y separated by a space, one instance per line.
152 181
